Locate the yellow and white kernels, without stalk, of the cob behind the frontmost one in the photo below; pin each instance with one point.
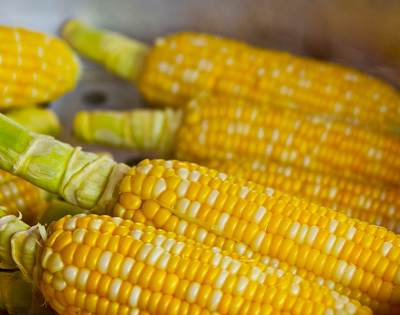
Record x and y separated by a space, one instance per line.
329 244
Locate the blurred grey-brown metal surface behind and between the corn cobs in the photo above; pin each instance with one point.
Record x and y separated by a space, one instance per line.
361 34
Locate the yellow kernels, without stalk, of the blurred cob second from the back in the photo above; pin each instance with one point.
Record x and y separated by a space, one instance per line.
220 128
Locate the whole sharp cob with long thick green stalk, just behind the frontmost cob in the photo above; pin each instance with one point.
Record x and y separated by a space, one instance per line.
325 246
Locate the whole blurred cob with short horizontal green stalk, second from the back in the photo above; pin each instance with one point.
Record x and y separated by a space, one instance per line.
219 128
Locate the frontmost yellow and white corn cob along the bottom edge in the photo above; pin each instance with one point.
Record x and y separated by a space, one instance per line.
89 264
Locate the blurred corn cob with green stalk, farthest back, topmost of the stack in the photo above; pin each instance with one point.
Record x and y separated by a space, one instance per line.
181 66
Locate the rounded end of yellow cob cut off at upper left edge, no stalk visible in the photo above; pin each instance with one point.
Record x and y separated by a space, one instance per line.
34 67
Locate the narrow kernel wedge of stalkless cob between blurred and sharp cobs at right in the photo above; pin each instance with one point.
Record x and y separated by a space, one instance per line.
375 204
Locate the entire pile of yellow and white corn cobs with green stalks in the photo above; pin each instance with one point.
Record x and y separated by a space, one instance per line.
287 204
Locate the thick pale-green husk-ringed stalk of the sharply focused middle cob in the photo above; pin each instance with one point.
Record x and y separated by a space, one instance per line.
84 179
